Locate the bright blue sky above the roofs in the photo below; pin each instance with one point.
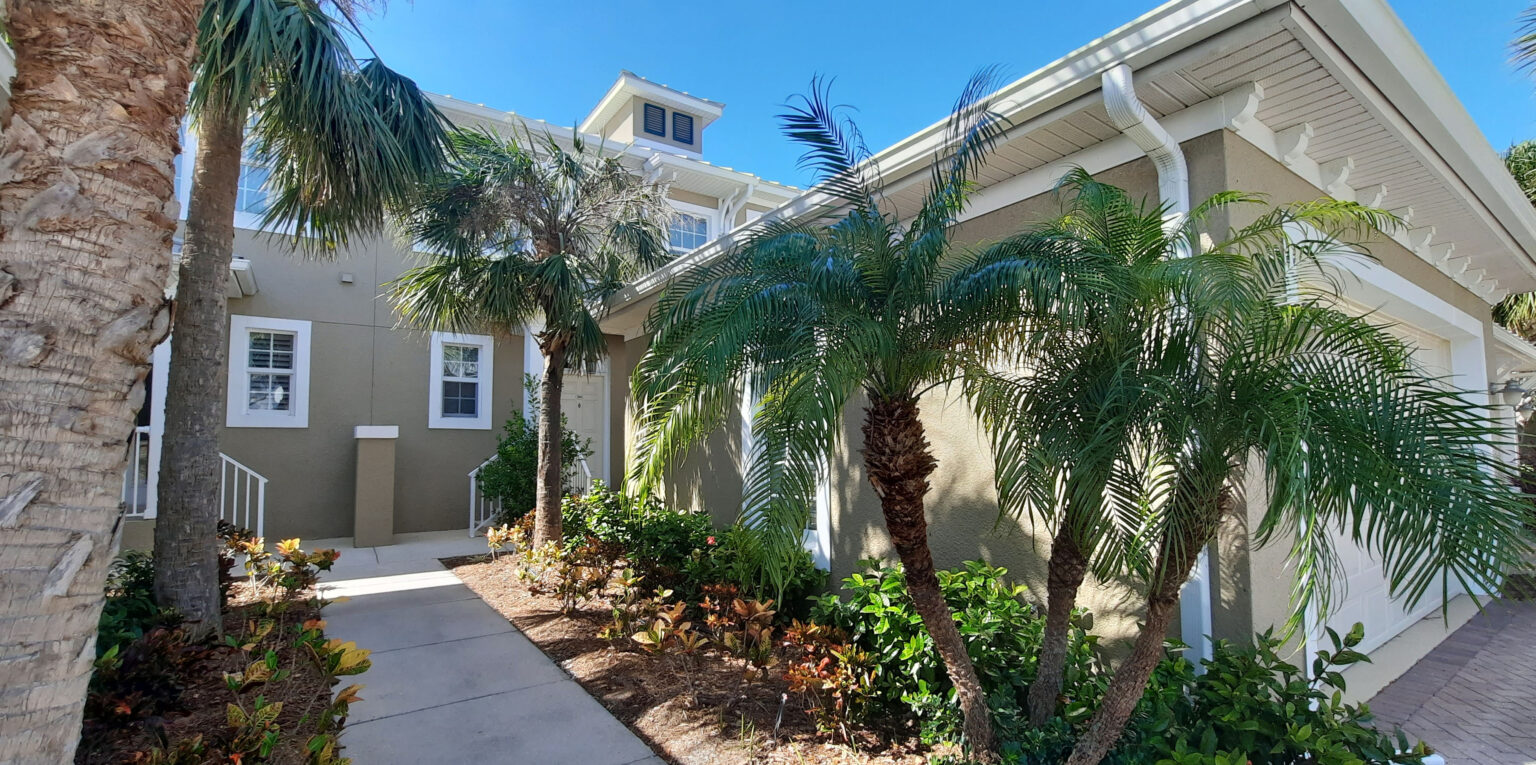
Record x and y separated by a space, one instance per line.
554 61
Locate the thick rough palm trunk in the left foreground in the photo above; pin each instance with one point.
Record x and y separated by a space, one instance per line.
85 251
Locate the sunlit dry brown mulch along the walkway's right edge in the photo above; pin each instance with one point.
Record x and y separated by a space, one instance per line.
694 710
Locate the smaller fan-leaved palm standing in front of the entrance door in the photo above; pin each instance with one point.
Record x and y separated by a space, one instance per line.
521 231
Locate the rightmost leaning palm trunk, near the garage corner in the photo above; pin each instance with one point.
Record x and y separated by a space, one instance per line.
1177 560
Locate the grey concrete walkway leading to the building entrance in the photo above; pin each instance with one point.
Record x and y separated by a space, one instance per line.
452 680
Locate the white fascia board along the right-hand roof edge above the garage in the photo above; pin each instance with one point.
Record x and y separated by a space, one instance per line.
1372 53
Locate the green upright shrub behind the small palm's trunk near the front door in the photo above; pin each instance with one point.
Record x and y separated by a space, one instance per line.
512 477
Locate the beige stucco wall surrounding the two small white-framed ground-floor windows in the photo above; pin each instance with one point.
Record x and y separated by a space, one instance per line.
363 373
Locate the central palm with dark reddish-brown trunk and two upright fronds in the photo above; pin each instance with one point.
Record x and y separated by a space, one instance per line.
819 314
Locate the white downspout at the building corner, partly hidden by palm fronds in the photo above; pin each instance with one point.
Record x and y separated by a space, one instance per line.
1131 118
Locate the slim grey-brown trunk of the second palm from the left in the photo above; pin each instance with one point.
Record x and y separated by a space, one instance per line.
187 522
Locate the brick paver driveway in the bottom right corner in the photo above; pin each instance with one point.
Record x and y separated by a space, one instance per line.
1474 698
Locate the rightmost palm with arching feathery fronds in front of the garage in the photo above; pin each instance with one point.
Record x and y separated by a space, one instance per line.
1352 435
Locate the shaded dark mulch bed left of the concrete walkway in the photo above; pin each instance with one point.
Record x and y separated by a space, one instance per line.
202 707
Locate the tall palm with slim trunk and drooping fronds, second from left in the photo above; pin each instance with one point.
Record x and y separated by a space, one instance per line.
343 139
